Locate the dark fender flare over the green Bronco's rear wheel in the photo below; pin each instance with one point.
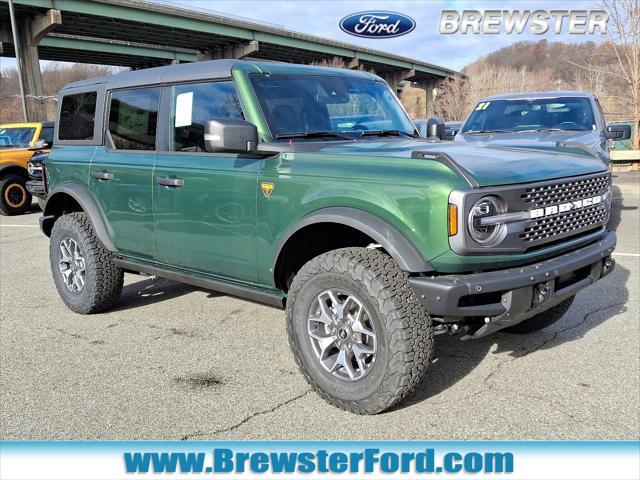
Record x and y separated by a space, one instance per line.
88 204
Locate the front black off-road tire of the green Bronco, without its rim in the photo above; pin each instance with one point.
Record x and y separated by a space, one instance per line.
403 327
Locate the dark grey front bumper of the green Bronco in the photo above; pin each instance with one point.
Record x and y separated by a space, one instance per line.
507 297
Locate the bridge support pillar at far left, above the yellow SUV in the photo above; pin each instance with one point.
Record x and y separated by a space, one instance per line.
30 32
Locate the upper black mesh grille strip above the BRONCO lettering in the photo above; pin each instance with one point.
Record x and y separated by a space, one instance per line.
566 191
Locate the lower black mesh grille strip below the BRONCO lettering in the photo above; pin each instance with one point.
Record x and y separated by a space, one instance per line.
565 224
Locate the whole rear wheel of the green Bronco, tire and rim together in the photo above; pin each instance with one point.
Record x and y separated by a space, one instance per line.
83 270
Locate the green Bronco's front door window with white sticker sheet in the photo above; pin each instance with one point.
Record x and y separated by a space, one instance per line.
192 105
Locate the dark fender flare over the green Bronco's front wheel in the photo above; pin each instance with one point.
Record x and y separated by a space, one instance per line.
401 249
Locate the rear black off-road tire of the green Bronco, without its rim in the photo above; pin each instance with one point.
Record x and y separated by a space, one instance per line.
103 279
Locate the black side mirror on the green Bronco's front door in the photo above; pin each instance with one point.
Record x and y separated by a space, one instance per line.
230 135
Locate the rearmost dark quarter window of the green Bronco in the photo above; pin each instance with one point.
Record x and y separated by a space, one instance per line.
77 115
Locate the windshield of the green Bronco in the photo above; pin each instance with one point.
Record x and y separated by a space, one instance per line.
332 105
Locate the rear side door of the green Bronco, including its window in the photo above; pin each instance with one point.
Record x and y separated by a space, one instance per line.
122 171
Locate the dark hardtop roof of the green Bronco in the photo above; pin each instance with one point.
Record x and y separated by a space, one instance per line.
211 69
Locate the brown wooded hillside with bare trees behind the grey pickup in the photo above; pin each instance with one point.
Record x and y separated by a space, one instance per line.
610 69
